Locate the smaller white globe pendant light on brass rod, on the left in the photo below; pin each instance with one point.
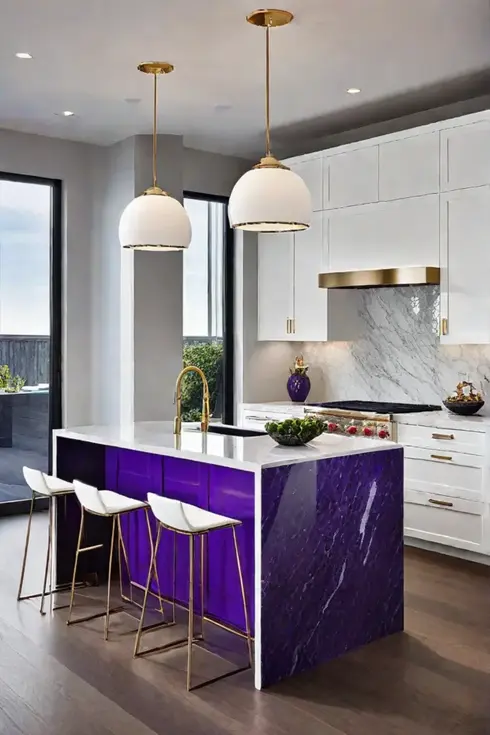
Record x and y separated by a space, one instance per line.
155 220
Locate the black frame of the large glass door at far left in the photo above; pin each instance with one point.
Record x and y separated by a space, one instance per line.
56 321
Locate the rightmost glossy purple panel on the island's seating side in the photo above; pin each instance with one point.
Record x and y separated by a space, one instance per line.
231 493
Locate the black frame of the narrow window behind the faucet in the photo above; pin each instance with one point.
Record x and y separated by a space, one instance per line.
228 414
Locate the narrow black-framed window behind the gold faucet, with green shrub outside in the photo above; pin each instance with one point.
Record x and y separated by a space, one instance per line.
208 307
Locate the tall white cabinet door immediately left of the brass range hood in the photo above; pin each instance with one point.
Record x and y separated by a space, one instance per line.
310 313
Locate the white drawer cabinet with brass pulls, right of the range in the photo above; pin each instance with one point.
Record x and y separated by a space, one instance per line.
445 486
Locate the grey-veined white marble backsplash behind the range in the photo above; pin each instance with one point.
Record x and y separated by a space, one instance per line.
399 356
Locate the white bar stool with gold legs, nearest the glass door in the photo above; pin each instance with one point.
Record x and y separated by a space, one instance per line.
44 486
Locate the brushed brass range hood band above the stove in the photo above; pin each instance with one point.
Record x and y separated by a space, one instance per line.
407 276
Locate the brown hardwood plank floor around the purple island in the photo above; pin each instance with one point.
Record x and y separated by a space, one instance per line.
434 678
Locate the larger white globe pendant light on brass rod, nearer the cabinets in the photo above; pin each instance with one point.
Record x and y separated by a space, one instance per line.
270 197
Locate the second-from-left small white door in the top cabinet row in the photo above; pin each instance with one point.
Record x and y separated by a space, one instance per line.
351 178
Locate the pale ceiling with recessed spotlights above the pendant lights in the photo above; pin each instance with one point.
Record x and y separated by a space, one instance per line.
85 57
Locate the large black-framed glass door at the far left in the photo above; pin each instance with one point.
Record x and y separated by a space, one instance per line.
30 330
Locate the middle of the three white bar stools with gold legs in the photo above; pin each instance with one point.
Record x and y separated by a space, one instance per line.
108 504
